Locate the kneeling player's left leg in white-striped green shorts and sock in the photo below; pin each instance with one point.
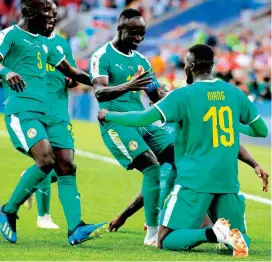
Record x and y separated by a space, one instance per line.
181 217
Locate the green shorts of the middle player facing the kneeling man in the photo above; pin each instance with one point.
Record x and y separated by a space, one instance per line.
126 143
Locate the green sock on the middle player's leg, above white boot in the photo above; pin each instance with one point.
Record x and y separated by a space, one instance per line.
151 194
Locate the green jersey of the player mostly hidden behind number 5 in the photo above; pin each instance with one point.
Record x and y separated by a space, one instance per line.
55 80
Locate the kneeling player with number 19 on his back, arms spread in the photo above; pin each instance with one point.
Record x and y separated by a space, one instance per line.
207 164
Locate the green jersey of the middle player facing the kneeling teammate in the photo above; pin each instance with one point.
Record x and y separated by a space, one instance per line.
120 68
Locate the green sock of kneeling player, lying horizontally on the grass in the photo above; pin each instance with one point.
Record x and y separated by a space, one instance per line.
184 239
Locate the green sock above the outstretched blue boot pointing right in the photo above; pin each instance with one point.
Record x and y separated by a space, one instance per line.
70 200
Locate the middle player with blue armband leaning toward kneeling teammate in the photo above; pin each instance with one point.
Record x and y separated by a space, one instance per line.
118 72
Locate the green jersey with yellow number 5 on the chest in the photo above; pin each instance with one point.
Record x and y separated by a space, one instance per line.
27 54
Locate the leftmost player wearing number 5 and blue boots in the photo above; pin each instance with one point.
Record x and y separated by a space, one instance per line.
33 130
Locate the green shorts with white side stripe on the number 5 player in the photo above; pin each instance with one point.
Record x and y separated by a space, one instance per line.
27 128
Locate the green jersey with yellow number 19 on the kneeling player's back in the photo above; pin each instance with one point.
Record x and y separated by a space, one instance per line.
207 135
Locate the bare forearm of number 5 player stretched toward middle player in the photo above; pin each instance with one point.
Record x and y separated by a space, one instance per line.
74 73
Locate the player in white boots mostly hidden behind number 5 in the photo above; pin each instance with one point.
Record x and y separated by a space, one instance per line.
57 90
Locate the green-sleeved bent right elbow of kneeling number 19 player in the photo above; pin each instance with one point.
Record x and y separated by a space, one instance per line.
256 129
